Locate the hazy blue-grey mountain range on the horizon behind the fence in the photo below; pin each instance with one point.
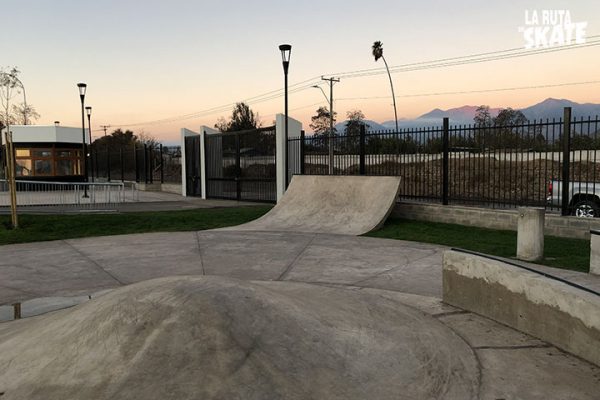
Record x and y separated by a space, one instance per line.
549 108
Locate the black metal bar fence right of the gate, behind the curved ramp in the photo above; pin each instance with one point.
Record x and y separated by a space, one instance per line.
496 166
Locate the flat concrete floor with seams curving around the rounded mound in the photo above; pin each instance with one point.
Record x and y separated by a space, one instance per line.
506 363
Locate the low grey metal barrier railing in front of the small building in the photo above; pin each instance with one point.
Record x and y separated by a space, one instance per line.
69 194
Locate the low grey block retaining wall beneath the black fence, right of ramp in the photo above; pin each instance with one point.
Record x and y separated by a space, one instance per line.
555 225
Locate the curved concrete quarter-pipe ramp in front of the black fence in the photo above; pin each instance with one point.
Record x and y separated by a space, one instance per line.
348 205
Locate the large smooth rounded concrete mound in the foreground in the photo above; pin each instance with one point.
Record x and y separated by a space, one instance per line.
217 338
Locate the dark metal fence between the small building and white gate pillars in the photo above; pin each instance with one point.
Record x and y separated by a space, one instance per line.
139 163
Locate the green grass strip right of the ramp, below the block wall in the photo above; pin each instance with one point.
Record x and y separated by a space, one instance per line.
564 253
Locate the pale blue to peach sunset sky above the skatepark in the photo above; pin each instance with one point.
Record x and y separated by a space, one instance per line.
154 60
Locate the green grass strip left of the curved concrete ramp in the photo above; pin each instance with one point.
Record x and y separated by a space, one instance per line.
35 228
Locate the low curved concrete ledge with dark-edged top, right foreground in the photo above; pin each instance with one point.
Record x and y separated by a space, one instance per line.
554 311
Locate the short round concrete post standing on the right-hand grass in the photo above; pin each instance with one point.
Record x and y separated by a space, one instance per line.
530 234
